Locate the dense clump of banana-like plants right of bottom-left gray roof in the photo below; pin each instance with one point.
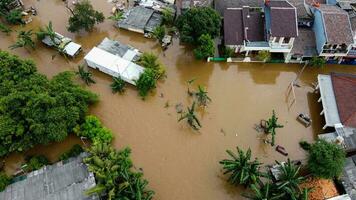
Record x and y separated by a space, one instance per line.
115 175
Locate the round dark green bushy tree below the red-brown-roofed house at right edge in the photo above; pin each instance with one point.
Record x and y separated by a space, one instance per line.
326 160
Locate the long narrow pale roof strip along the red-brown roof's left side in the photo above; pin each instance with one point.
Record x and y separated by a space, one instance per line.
331 113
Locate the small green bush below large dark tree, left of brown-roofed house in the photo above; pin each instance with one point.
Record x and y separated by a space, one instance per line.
206 47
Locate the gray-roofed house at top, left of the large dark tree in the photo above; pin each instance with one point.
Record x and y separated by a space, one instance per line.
140 19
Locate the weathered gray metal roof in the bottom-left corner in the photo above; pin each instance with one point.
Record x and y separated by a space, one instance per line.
61 181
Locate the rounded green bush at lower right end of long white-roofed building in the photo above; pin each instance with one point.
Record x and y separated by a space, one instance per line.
146 82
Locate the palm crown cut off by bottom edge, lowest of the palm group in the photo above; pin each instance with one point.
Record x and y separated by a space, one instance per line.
267 191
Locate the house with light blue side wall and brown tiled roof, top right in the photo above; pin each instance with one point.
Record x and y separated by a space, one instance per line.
333 33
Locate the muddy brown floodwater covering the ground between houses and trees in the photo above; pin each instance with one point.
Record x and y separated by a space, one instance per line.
178 162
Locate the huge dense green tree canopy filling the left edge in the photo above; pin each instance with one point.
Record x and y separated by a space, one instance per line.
35 110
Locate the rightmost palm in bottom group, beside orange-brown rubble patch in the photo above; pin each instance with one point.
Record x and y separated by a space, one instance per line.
290 179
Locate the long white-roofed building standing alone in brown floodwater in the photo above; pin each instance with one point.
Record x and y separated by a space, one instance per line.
115 59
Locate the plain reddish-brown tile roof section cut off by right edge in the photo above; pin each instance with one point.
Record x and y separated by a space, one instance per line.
345 94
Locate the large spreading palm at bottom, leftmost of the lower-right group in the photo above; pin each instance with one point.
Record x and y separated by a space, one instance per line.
242 170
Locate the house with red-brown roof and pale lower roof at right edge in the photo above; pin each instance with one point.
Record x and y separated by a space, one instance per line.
338 98
